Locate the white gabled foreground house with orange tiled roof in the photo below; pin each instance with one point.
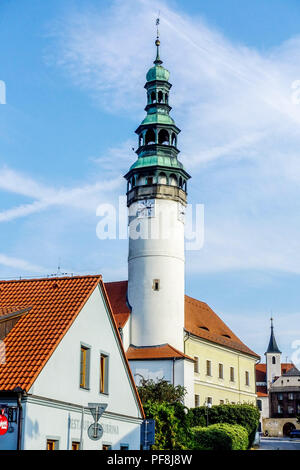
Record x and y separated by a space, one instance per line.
62 352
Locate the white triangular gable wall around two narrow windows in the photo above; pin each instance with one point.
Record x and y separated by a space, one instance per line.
60 377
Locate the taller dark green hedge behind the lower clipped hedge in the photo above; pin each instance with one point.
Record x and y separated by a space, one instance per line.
246 415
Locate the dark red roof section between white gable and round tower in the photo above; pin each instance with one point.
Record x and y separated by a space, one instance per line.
117 292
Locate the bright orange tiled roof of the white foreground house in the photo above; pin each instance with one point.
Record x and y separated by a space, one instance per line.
54 305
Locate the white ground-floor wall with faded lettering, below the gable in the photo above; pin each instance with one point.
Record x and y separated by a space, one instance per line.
44 421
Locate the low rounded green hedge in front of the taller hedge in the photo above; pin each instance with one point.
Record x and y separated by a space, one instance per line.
220 436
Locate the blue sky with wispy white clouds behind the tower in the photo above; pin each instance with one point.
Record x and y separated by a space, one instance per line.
74 74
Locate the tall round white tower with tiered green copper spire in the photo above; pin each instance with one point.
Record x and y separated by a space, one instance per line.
156 199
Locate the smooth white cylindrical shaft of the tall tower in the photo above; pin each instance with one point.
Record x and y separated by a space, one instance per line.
157 316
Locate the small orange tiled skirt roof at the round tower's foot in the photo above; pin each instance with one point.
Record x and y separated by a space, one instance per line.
163 351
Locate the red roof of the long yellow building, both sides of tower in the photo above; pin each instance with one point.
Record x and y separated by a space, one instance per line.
197 314
